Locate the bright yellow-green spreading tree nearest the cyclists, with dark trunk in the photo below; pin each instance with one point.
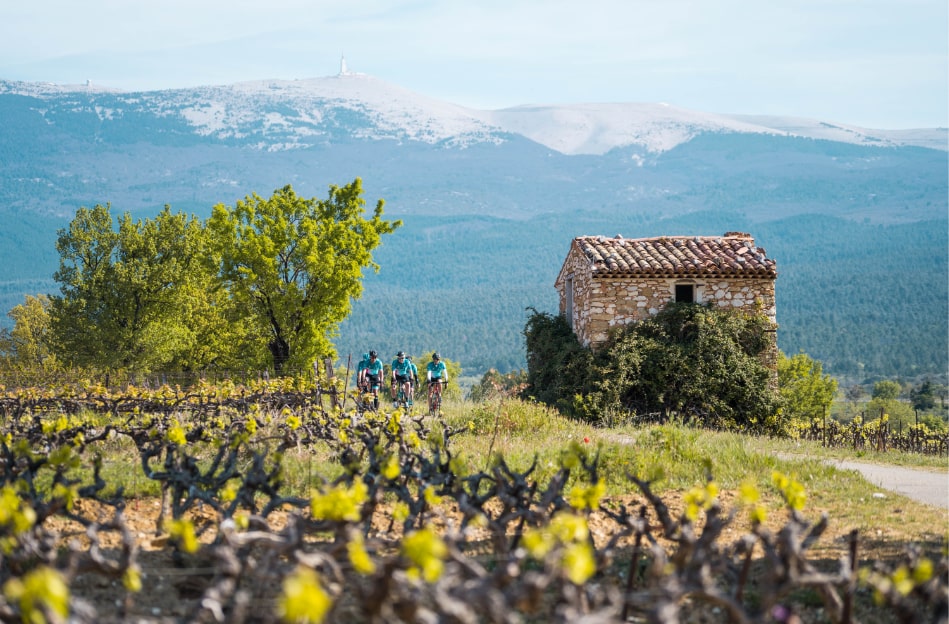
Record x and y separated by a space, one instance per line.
295 265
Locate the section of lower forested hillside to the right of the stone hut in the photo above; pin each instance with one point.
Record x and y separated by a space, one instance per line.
863 298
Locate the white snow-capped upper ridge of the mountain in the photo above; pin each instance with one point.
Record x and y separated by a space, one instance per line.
287 114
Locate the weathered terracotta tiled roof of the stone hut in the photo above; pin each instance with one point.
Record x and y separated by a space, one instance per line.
733 254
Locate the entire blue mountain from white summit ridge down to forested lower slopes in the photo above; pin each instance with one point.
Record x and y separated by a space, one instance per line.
494 197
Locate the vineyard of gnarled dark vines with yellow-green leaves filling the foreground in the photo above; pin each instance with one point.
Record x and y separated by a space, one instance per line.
281 501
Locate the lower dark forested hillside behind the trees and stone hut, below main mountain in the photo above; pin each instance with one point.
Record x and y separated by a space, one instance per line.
866 299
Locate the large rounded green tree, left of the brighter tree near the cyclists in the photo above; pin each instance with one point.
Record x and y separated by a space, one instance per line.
135 297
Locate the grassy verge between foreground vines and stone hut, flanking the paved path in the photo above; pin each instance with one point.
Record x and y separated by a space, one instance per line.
678 458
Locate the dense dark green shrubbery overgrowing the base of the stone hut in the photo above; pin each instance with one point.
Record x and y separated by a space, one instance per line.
701 364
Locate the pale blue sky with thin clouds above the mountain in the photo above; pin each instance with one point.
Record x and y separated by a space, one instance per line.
872 63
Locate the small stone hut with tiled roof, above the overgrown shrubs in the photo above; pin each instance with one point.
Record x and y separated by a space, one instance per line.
608 282
